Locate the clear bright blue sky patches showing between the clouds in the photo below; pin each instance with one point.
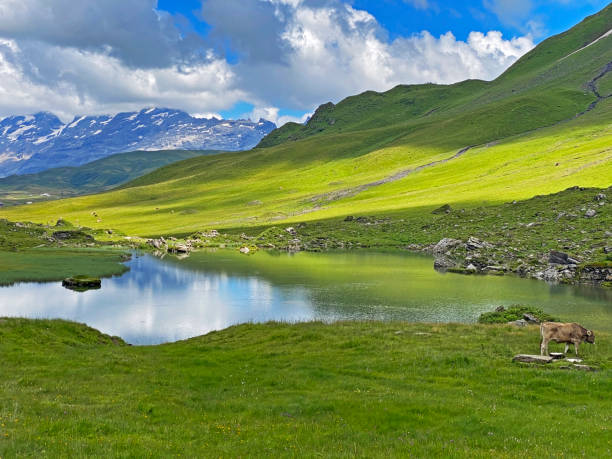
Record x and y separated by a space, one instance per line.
401 18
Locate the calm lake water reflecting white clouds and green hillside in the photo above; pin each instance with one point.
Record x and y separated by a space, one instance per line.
167 300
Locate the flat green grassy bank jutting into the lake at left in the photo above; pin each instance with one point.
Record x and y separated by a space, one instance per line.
47 264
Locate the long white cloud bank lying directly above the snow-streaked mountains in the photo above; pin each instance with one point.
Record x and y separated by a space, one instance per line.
69 81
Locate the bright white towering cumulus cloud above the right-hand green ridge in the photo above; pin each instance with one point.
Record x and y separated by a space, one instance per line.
334 50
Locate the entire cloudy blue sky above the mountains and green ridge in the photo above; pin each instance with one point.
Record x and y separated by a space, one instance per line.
277 59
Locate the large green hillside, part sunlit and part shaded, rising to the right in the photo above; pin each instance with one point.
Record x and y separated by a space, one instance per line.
538 129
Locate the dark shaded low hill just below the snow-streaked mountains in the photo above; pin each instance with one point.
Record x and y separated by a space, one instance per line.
94 177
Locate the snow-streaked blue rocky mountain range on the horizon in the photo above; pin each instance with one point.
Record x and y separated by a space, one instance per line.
37 142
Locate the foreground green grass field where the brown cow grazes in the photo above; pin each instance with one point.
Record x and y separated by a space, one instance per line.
350 389
